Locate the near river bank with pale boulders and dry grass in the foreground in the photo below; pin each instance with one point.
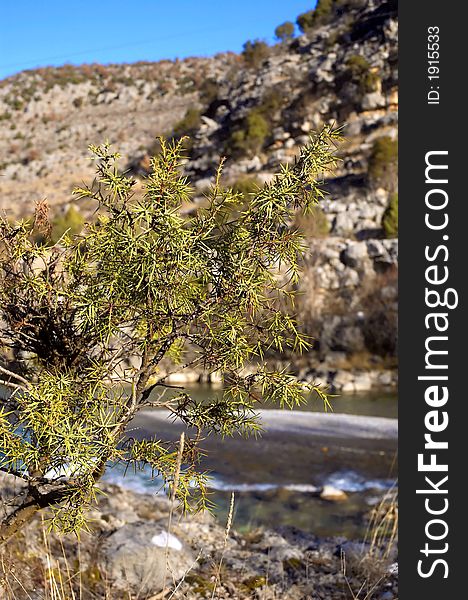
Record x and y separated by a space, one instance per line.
124 557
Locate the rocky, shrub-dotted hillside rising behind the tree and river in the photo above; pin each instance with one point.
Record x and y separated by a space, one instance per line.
256 109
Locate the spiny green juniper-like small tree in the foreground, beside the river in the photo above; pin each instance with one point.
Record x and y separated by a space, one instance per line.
143 281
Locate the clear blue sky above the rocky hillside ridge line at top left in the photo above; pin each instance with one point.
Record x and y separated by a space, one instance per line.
54 32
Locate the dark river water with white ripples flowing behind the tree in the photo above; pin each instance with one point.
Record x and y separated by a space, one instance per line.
276 478
